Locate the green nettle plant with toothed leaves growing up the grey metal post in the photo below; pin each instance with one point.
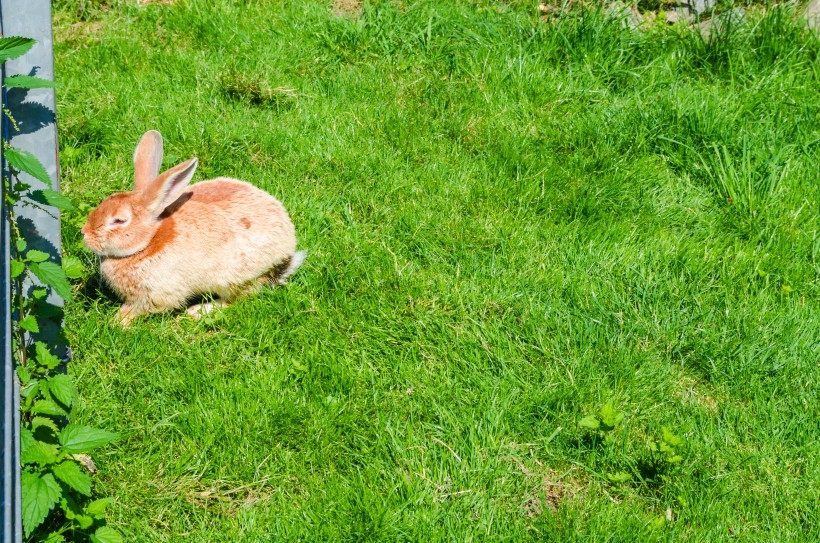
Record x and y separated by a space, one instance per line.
57 503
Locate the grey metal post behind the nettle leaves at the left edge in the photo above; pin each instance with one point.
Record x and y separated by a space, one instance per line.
34 113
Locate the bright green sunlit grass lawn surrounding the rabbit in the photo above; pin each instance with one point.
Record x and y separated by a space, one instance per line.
510 223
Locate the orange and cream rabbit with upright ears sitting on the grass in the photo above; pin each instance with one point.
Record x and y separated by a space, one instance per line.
165 242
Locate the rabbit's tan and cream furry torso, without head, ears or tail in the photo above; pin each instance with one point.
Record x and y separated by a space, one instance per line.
225 234
